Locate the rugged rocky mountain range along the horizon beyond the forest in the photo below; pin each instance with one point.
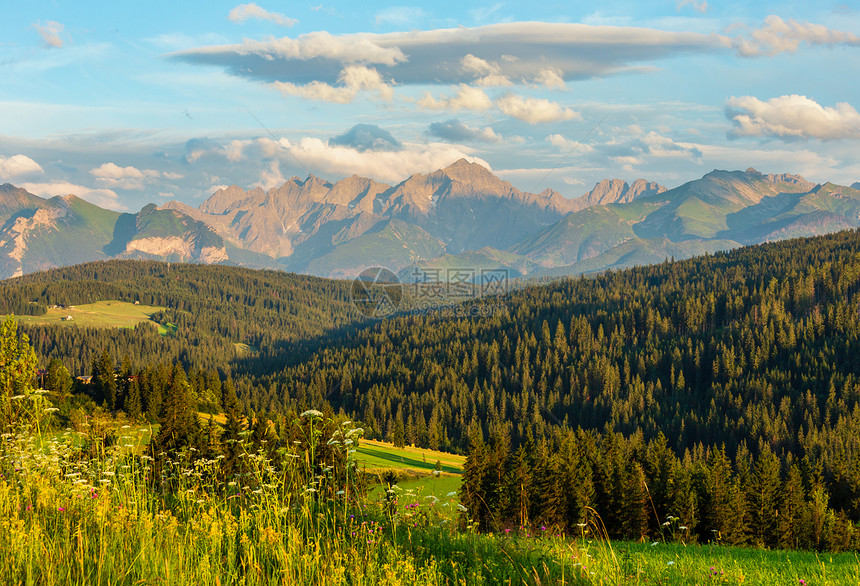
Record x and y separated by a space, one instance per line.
461 216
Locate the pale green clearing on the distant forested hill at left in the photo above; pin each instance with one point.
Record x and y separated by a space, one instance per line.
101 314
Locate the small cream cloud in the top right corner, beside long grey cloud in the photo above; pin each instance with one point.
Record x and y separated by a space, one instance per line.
786 36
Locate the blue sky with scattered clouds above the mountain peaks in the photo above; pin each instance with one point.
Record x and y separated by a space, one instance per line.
124 104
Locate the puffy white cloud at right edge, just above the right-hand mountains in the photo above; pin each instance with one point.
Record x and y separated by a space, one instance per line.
792 117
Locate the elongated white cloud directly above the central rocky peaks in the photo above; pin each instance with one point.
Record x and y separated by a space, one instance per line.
387 166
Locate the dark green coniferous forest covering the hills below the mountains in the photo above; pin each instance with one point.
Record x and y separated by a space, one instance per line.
716 398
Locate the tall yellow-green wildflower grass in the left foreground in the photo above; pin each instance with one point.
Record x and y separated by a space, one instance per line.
109 514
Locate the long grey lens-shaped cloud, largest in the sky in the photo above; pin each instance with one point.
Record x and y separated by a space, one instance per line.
492 53
